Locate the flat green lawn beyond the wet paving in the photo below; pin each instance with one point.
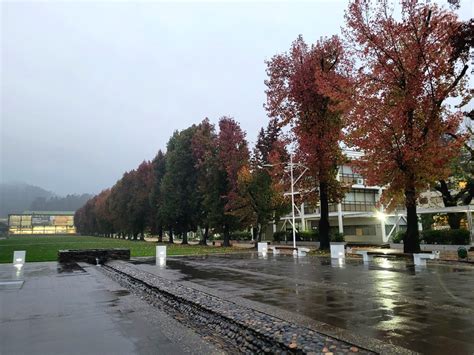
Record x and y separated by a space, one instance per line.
45 248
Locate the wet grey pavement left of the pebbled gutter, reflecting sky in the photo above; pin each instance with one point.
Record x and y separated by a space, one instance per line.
80 311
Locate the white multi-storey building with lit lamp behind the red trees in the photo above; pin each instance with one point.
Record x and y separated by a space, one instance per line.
358 216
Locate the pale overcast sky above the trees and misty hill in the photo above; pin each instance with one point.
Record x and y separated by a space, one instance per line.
90 89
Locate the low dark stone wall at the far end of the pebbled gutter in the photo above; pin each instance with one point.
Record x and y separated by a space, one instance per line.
92 256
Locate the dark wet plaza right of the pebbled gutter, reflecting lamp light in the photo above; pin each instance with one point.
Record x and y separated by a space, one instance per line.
428 310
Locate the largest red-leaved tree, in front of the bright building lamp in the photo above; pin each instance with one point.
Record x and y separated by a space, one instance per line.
408 67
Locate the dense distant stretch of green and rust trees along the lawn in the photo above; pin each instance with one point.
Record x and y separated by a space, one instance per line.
207 182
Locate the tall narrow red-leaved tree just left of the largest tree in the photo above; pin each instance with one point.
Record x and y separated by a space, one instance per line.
303 90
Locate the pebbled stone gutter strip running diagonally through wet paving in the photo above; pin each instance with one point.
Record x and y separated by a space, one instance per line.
252 331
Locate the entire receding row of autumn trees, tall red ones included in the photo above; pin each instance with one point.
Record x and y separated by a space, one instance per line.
381 89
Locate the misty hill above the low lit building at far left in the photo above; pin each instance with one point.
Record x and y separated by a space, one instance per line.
19 197
